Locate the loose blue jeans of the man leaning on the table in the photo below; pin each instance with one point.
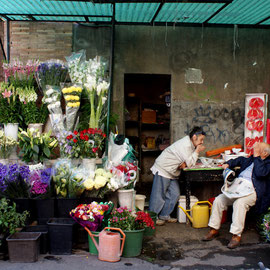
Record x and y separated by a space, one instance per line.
164 196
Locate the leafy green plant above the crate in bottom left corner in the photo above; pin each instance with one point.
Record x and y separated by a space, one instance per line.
9 218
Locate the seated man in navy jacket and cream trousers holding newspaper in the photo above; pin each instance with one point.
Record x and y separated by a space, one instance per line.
251 187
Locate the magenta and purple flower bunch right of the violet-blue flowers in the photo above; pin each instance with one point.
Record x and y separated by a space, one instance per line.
40 182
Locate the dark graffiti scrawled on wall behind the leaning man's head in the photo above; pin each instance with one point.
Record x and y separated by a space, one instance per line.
221 125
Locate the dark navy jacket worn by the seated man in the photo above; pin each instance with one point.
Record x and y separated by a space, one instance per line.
260 178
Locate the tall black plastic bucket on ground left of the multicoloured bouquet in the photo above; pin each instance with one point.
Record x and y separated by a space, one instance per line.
61 235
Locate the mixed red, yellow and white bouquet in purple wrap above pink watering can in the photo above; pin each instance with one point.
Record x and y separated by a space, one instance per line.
94 216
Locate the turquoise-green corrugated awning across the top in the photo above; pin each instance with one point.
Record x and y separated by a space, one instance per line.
147 12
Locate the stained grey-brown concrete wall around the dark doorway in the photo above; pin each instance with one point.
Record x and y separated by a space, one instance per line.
217 104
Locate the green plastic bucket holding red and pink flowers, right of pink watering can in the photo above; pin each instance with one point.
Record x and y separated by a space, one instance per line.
133 243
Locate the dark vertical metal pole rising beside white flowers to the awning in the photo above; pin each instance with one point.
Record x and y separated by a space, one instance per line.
111 76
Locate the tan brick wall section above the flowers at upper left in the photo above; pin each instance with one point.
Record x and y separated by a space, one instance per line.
40 40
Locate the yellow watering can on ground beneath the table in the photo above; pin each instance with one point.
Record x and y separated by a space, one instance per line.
200 214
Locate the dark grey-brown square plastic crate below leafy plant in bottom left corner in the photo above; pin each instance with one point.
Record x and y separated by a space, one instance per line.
23 246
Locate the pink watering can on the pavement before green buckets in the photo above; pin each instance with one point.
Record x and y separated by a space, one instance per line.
109 249
